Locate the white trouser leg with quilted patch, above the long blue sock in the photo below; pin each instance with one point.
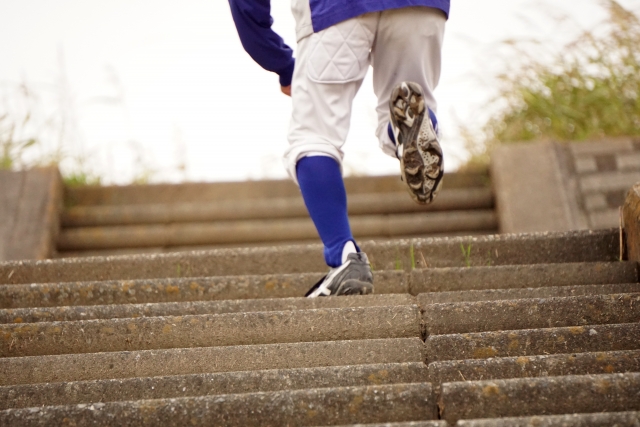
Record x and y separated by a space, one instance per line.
330 67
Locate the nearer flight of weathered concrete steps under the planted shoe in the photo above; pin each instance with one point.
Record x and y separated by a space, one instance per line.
510 330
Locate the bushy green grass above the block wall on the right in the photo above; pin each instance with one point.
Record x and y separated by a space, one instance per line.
590 89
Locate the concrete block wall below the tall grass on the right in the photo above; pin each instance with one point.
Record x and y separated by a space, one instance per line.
560 187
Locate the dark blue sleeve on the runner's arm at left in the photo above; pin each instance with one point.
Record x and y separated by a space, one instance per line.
253 21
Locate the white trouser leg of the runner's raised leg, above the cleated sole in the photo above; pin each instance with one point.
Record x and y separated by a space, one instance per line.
407 47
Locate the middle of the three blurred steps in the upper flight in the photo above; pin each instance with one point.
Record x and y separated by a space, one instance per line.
267 208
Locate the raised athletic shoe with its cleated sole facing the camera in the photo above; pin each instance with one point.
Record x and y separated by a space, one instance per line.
421 162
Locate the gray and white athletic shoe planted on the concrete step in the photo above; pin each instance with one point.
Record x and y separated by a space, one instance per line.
354 277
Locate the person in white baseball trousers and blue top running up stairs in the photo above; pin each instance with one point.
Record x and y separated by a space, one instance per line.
337 42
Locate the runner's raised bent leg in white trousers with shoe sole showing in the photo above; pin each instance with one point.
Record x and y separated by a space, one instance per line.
406 60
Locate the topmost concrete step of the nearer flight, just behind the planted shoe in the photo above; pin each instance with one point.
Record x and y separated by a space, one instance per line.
569 247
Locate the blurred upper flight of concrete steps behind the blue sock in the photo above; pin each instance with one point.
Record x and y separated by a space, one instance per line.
168 218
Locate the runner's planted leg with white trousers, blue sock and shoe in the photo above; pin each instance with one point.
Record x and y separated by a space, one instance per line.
323 88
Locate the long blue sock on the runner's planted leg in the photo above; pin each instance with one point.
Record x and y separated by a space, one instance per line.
324 195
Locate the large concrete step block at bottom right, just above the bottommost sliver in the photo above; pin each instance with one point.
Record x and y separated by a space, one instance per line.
539 396
